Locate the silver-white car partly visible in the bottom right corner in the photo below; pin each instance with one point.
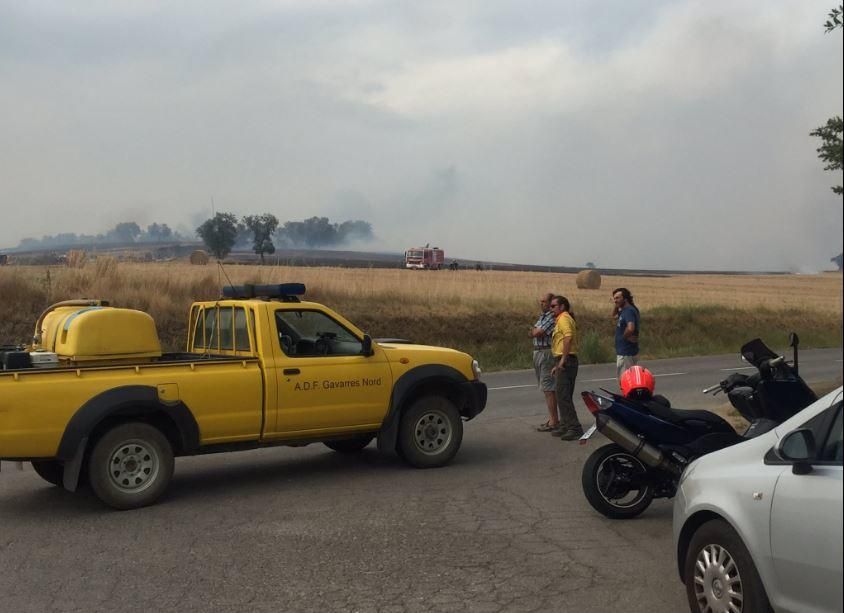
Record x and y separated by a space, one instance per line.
758 526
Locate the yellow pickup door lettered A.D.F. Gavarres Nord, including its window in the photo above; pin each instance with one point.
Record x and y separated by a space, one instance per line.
324 382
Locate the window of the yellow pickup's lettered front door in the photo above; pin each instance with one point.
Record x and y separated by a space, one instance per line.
313 334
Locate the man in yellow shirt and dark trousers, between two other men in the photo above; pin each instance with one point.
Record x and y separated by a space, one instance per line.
564 350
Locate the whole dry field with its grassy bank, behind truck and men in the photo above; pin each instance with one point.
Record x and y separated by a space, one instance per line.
486 313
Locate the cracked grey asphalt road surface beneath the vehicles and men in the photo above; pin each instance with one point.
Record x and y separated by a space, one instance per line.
505 527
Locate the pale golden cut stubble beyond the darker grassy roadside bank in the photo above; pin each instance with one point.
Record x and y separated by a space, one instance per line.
465 290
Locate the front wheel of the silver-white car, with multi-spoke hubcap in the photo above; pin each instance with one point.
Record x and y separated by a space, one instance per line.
717 558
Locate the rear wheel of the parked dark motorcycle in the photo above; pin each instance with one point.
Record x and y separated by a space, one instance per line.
606 480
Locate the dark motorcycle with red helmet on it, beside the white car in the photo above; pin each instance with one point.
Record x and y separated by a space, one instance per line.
653 443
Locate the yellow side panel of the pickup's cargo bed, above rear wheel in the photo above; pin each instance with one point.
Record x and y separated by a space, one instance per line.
224 393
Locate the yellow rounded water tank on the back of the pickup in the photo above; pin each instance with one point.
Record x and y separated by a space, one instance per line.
100 333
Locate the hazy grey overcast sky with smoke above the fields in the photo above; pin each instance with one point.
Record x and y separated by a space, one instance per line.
661 134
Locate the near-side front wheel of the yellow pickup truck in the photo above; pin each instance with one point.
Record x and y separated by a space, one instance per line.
430 432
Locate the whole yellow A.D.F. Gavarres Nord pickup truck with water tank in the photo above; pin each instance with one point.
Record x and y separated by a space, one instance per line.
94 400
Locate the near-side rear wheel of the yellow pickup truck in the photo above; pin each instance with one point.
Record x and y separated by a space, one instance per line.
131 466
